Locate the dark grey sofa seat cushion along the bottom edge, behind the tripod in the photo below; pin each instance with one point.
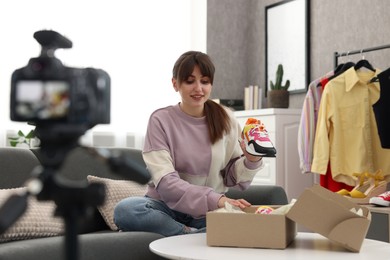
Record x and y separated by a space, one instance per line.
96 246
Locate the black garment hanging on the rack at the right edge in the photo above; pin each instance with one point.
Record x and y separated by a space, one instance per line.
382 109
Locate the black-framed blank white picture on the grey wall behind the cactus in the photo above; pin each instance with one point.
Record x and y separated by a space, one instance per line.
287 42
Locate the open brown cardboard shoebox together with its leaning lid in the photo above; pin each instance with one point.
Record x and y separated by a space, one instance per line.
318 209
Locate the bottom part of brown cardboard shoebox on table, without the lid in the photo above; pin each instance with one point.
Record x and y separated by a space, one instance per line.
249 230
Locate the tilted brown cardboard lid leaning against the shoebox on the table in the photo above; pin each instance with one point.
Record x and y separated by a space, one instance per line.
330 215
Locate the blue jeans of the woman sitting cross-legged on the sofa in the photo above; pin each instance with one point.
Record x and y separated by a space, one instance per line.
150 215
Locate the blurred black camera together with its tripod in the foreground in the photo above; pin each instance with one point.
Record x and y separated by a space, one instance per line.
62 102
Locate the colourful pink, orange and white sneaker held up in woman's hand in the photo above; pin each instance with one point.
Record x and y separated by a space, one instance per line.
256 139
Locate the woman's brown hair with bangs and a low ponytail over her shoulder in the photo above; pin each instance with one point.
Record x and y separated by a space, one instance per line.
218 120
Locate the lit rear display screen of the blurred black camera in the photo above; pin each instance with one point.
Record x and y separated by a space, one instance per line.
42 100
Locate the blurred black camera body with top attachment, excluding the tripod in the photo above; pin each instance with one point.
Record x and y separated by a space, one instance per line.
45 92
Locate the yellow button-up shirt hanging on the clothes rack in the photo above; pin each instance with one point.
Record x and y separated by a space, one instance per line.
346 133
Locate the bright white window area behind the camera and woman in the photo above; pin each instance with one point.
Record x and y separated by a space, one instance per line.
136 42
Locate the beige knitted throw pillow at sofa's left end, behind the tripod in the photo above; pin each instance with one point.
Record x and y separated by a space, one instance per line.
37 221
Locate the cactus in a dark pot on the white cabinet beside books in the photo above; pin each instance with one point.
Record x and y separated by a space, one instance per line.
278 96
